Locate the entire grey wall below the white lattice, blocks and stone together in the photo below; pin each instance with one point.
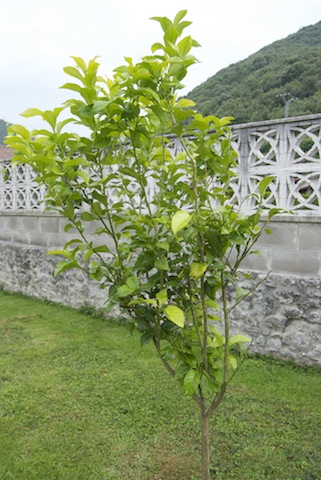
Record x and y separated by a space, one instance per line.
283 316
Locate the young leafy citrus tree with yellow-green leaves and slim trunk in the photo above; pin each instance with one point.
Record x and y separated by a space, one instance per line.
164 235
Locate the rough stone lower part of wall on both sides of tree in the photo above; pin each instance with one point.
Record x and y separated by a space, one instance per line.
283 315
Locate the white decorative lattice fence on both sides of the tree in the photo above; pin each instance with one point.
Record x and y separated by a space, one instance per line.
289 149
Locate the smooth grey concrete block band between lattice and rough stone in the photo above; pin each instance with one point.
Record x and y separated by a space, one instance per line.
293 247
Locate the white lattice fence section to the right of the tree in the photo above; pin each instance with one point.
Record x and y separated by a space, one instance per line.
290 150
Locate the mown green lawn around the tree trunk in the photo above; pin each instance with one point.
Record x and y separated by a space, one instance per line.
79 399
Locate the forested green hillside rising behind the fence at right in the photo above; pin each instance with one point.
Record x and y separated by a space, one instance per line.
248 89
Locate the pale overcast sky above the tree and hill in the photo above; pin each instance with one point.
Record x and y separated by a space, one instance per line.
38 37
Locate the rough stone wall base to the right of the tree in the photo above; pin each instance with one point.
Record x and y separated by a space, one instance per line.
283 318
